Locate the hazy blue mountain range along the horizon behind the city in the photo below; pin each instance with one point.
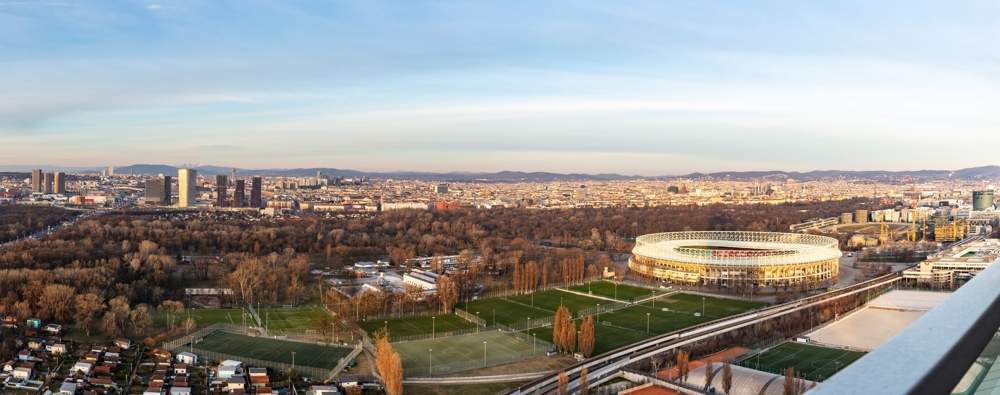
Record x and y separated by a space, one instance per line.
990 172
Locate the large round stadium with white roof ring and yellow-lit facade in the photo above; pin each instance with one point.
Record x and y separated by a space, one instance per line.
737 259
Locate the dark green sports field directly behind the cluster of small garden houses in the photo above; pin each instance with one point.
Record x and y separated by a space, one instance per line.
306 354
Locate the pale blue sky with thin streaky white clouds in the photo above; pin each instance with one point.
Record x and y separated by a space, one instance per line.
631 87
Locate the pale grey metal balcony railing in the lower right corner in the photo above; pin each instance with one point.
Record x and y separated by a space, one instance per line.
933 354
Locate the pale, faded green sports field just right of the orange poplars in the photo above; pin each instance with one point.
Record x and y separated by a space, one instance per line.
465 352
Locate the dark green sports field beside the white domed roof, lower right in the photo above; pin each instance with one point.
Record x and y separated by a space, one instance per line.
812 362
